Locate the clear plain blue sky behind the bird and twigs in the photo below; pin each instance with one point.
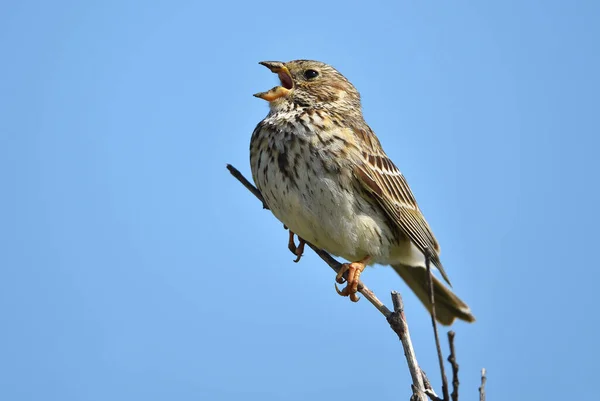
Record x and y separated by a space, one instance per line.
133 267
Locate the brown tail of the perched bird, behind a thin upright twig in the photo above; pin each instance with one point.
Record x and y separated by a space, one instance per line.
447 305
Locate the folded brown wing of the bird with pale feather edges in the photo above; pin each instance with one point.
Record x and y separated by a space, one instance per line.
384 181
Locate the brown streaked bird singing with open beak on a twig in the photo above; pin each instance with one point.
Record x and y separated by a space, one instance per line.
323 173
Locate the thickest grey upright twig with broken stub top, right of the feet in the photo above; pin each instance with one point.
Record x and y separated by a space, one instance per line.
397 321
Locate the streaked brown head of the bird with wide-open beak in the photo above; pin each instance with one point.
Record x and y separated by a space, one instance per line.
311 84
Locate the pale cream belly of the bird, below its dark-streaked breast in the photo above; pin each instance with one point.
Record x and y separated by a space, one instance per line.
323 214
